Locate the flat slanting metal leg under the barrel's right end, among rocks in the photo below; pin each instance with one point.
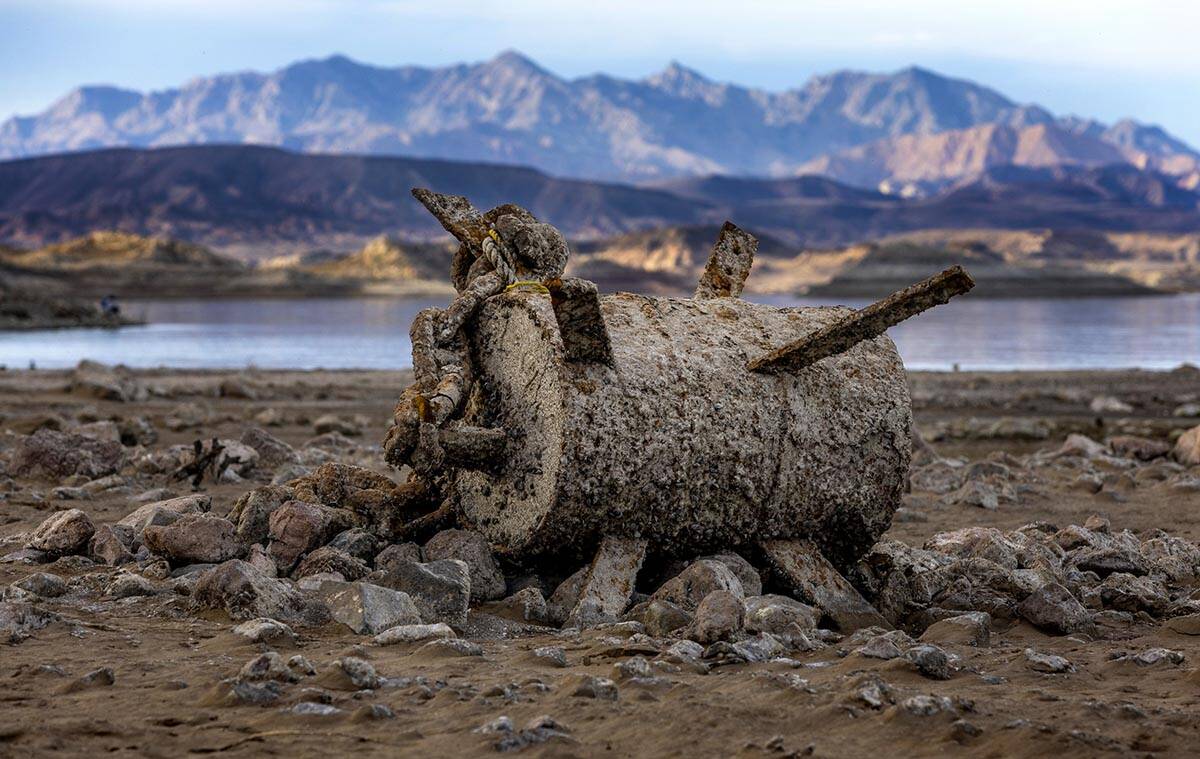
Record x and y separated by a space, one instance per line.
814 581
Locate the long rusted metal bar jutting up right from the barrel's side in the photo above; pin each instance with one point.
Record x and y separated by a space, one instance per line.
871 322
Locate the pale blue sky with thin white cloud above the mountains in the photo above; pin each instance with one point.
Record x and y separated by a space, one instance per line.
1096 58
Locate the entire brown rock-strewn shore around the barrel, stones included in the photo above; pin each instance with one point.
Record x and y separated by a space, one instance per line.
1035 594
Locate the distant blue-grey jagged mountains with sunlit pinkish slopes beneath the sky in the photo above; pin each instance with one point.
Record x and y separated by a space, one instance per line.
908 133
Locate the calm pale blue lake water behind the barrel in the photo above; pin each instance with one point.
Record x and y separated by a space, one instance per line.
1082 333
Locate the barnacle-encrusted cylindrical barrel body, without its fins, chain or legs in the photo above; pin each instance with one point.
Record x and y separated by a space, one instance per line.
676 441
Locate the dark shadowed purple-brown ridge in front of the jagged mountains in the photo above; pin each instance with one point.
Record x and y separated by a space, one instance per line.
260 202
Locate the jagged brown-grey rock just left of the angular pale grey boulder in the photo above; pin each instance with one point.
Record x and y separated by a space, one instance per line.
247 594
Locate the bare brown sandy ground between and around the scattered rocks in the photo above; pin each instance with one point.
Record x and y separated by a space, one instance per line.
167 698
